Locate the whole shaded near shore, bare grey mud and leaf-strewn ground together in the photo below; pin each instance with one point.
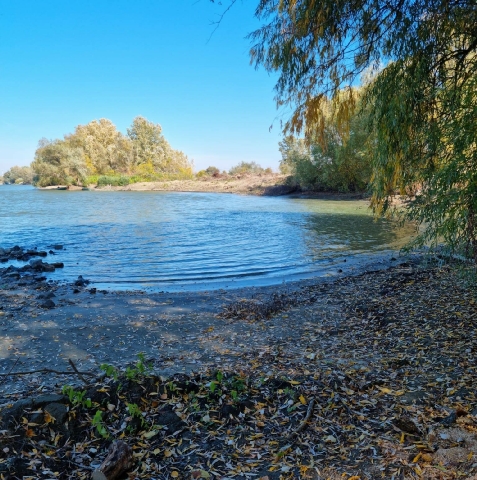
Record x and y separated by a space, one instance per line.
386 352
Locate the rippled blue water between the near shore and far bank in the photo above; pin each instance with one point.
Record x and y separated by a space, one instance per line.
170 241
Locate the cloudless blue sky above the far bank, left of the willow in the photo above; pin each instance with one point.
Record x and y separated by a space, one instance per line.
67 62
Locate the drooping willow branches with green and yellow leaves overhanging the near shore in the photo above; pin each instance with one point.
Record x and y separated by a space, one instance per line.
423 100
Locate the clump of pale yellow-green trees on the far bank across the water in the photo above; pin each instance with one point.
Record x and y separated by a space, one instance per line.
98 153
